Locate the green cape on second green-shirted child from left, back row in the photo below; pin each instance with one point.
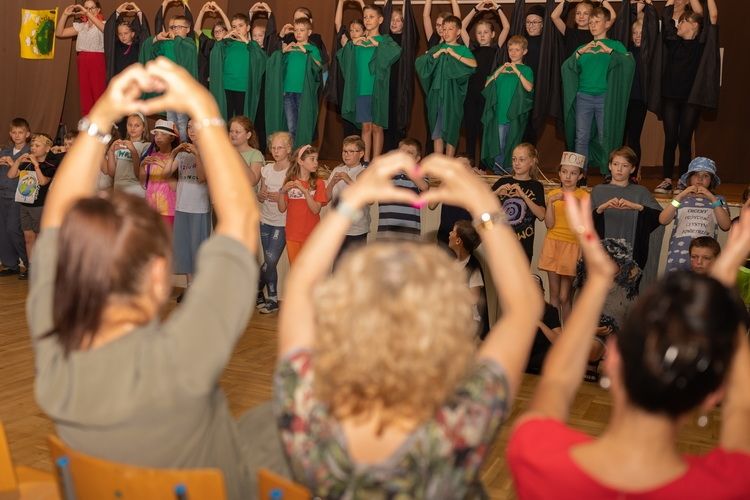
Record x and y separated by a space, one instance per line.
257 69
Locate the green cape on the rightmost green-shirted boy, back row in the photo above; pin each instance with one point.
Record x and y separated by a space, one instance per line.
619 80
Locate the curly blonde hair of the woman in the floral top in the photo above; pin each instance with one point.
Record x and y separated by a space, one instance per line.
394 332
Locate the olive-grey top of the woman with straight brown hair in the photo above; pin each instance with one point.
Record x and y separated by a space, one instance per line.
151 397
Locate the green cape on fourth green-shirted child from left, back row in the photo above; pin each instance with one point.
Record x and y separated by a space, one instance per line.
386 54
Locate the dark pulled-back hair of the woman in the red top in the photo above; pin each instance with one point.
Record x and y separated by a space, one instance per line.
677 342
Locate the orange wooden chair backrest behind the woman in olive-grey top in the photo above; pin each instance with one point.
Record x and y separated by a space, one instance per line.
83 477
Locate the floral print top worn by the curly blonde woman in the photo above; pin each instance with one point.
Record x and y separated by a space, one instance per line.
440 459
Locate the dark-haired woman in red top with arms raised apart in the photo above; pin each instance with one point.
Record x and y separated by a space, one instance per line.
683 345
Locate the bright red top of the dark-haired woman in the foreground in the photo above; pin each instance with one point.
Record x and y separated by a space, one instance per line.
539 459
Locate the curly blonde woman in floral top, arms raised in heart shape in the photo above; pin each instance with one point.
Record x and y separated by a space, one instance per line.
379 391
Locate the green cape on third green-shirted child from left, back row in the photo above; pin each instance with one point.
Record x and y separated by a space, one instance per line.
308 108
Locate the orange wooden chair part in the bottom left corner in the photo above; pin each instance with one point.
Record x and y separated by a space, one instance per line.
20 482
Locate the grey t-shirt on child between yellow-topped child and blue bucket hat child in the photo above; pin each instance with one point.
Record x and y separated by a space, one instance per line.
618 223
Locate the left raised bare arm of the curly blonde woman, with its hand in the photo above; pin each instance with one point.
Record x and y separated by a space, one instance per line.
297 316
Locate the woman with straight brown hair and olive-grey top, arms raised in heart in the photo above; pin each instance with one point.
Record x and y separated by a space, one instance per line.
118 382
